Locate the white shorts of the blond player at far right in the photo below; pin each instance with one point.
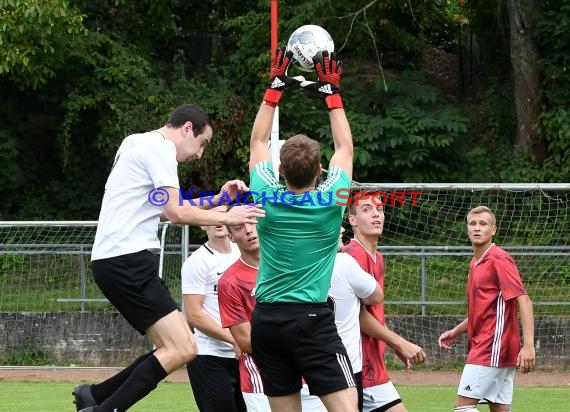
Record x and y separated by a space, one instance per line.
486 382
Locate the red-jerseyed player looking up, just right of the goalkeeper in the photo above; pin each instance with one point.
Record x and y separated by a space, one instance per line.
366 217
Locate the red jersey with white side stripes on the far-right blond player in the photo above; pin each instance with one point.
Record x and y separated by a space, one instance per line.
492 327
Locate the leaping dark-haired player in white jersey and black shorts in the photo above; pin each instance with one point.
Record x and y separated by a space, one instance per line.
143 185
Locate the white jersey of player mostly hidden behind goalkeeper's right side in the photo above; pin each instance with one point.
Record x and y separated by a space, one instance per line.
349 284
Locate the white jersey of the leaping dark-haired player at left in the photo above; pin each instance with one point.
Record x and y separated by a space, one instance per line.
128 222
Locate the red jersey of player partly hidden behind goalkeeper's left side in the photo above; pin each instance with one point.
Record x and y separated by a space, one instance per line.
236 298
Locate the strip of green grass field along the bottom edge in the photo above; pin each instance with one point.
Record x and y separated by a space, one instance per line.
177 397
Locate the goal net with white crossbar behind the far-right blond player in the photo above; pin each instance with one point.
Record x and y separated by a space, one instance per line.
427 254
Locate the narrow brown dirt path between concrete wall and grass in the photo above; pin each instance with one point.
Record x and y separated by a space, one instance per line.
412 378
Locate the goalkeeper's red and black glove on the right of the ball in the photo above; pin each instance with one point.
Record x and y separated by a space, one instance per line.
329 71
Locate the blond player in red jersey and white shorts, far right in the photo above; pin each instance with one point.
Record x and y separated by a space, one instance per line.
494 289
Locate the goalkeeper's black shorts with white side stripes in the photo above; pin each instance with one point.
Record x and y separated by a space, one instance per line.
294 340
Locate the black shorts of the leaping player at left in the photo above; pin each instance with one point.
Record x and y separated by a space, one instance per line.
132 285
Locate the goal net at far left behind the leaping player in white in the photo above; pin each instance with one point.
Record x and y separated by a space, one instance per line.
51 310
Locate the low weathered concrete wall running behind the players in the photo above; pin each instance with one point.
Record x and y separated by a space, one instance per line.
106 339
